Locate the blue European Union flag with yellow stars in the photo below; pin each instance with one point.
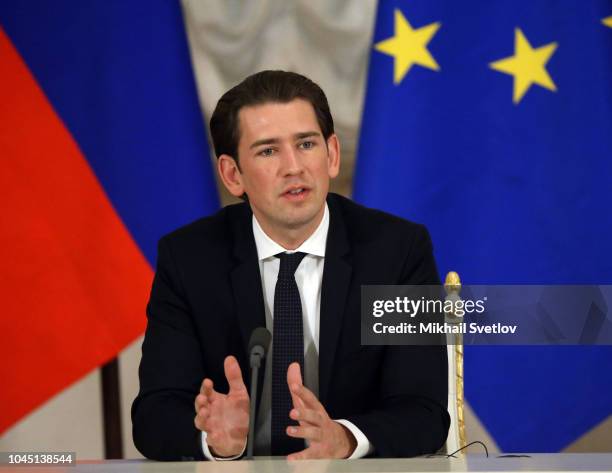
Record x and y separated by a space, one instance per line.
491 122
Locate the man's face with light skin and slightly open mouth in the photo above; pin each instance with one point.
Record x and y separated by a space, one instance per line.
285 165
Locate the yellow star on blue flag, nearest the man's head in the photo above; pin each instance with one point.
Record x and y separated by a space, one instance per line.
409 47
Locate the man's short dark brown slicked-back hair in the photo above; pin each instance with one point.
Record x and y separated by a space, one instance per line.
260 88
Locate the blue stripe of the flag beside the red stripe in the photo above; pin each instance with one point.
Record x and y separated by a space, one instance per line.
119 75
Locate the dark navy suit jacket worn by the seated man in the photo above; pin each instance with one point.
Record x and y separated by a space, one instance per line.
207 299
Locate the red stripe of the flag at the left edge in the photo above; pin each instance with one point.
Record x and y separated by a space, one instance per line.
74 282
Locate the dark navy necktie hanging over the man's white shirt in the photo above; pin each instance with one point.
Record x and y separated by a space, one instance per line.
287 347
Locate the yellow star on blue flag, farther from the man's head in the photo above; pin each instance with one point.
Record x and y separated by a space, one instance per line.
527 66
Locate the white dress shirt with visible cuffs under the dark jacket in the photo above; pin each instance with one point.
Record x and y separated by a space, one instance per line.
308 276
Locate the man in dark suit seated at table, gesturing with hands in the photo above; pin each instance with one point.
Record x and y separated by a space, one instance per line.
293 258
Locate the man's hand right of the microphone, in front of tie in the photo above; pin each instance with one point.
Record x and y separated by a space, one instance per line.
327 439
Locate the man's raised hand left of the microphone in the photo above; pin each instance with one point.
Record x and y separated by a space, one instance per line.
224 417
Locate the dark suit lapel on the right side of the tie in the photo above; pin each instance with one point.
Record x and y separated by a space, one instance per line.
336 280
